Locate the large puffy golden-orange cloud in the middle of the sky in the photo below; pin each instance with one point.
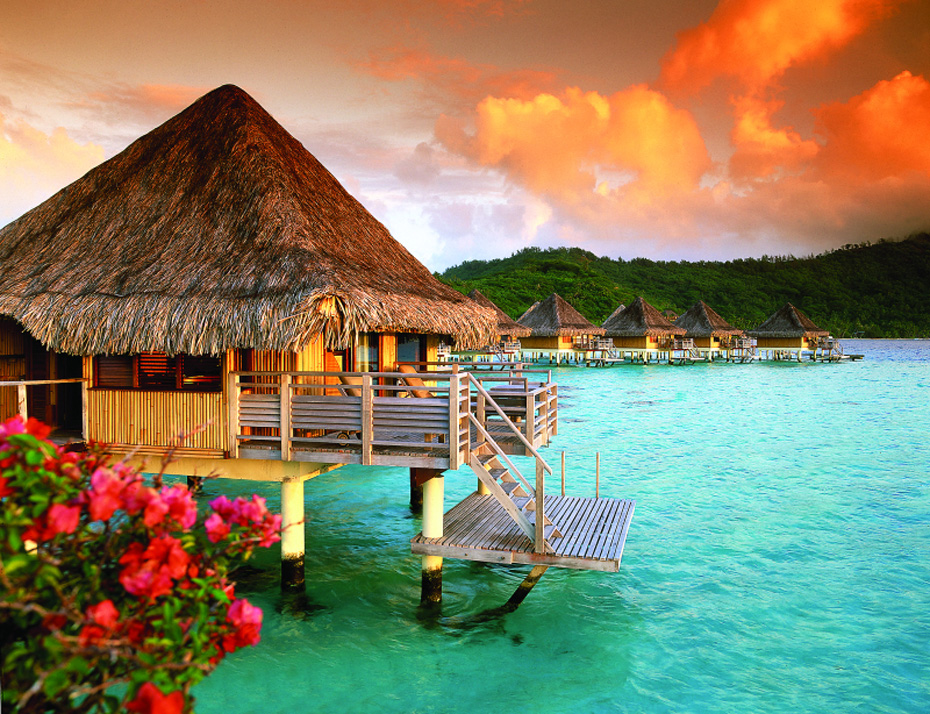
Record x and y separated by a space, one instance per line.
581 144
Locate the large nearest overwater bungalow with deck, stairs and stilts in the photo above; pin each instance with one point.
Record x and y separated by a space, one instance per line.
214 280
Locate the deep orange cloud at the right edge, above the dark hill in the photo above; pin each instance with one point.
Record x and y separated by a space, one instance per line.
878 134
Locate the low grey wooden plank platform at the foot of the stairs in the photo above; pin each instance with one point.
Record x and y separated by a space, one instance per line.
594 533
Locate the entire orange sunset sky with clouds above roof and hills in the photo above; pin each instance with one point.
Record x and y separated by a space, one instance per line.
671 129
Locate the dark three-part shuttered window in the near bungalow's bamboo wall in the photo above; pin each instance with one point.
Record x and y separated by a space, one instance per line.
157 372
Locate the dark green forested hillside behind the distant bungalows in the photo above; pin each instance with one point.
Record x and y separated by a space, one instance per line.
877 289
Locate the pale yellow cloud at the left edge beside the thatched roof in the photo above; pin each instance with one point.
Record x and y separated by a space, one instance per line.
34 165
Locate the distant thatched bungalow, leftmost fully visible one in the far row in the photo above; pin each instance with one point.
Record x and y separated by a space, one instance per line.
557 329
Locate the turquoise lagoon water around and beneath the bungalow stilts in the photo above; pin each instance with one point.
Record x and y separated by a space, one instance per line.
778 560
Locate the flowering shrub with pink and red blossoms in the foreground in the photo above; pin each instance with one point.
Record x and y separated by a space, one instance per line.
106 581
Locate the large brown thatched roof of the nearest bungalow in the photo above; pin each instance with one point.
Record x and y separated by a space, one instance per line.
217 230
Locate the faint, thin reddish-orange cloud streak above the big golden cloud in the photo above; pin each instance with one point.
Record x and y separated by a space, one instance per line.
453 76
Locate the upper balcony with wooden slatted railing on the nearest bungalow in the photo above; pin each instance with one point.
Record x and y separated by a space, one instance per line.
414 419
